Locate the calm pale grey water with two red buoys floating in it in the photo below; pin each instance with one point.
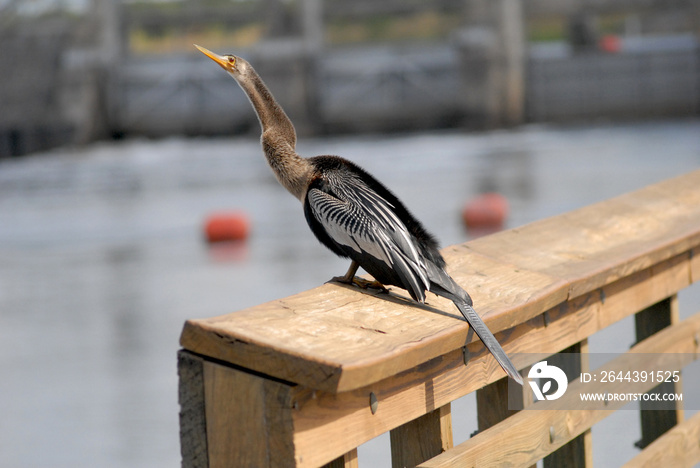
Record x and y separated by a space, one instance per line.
102 260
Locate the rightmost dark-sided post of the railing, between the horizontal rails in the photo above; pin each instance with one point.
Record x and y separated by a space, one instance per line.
657 422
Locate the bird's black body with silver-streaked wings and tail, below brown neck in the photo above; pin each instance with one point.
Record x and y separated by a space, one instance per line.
356 217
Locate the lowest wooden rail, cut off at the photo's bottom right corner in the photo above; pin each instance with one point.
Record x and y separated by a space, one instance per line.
678 447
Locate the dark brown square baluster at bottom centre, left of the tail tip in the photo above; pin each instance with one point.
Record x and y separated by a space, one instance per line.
421 439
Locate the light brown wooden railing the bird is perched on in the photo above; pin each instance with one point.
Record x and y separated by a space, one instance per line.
304 380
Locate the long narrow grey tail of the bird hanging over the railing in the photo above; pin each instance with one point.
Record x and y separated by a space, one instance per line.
445 286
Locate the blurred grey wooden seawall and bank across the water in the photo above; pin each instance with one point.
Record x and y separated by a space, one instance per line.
82 70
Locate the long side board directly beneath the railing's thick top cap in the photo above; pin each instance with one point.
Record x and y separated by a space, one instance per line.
346 417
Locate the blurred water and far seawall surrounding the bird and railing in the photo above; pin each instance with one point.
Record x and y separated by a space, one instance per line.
118 141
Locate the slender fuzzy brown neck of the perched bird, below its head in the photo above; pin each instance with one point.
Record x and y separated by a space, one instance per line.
278 137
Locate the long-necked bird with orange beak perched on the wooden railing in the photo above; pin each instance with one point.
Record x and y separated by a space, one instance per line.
354 215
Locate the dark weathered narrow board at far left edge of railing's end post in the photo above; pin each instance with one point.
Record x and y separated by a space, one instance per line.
193 424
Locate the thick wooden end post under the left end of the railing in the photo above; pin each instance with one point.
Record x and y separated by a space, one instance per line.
230 417
